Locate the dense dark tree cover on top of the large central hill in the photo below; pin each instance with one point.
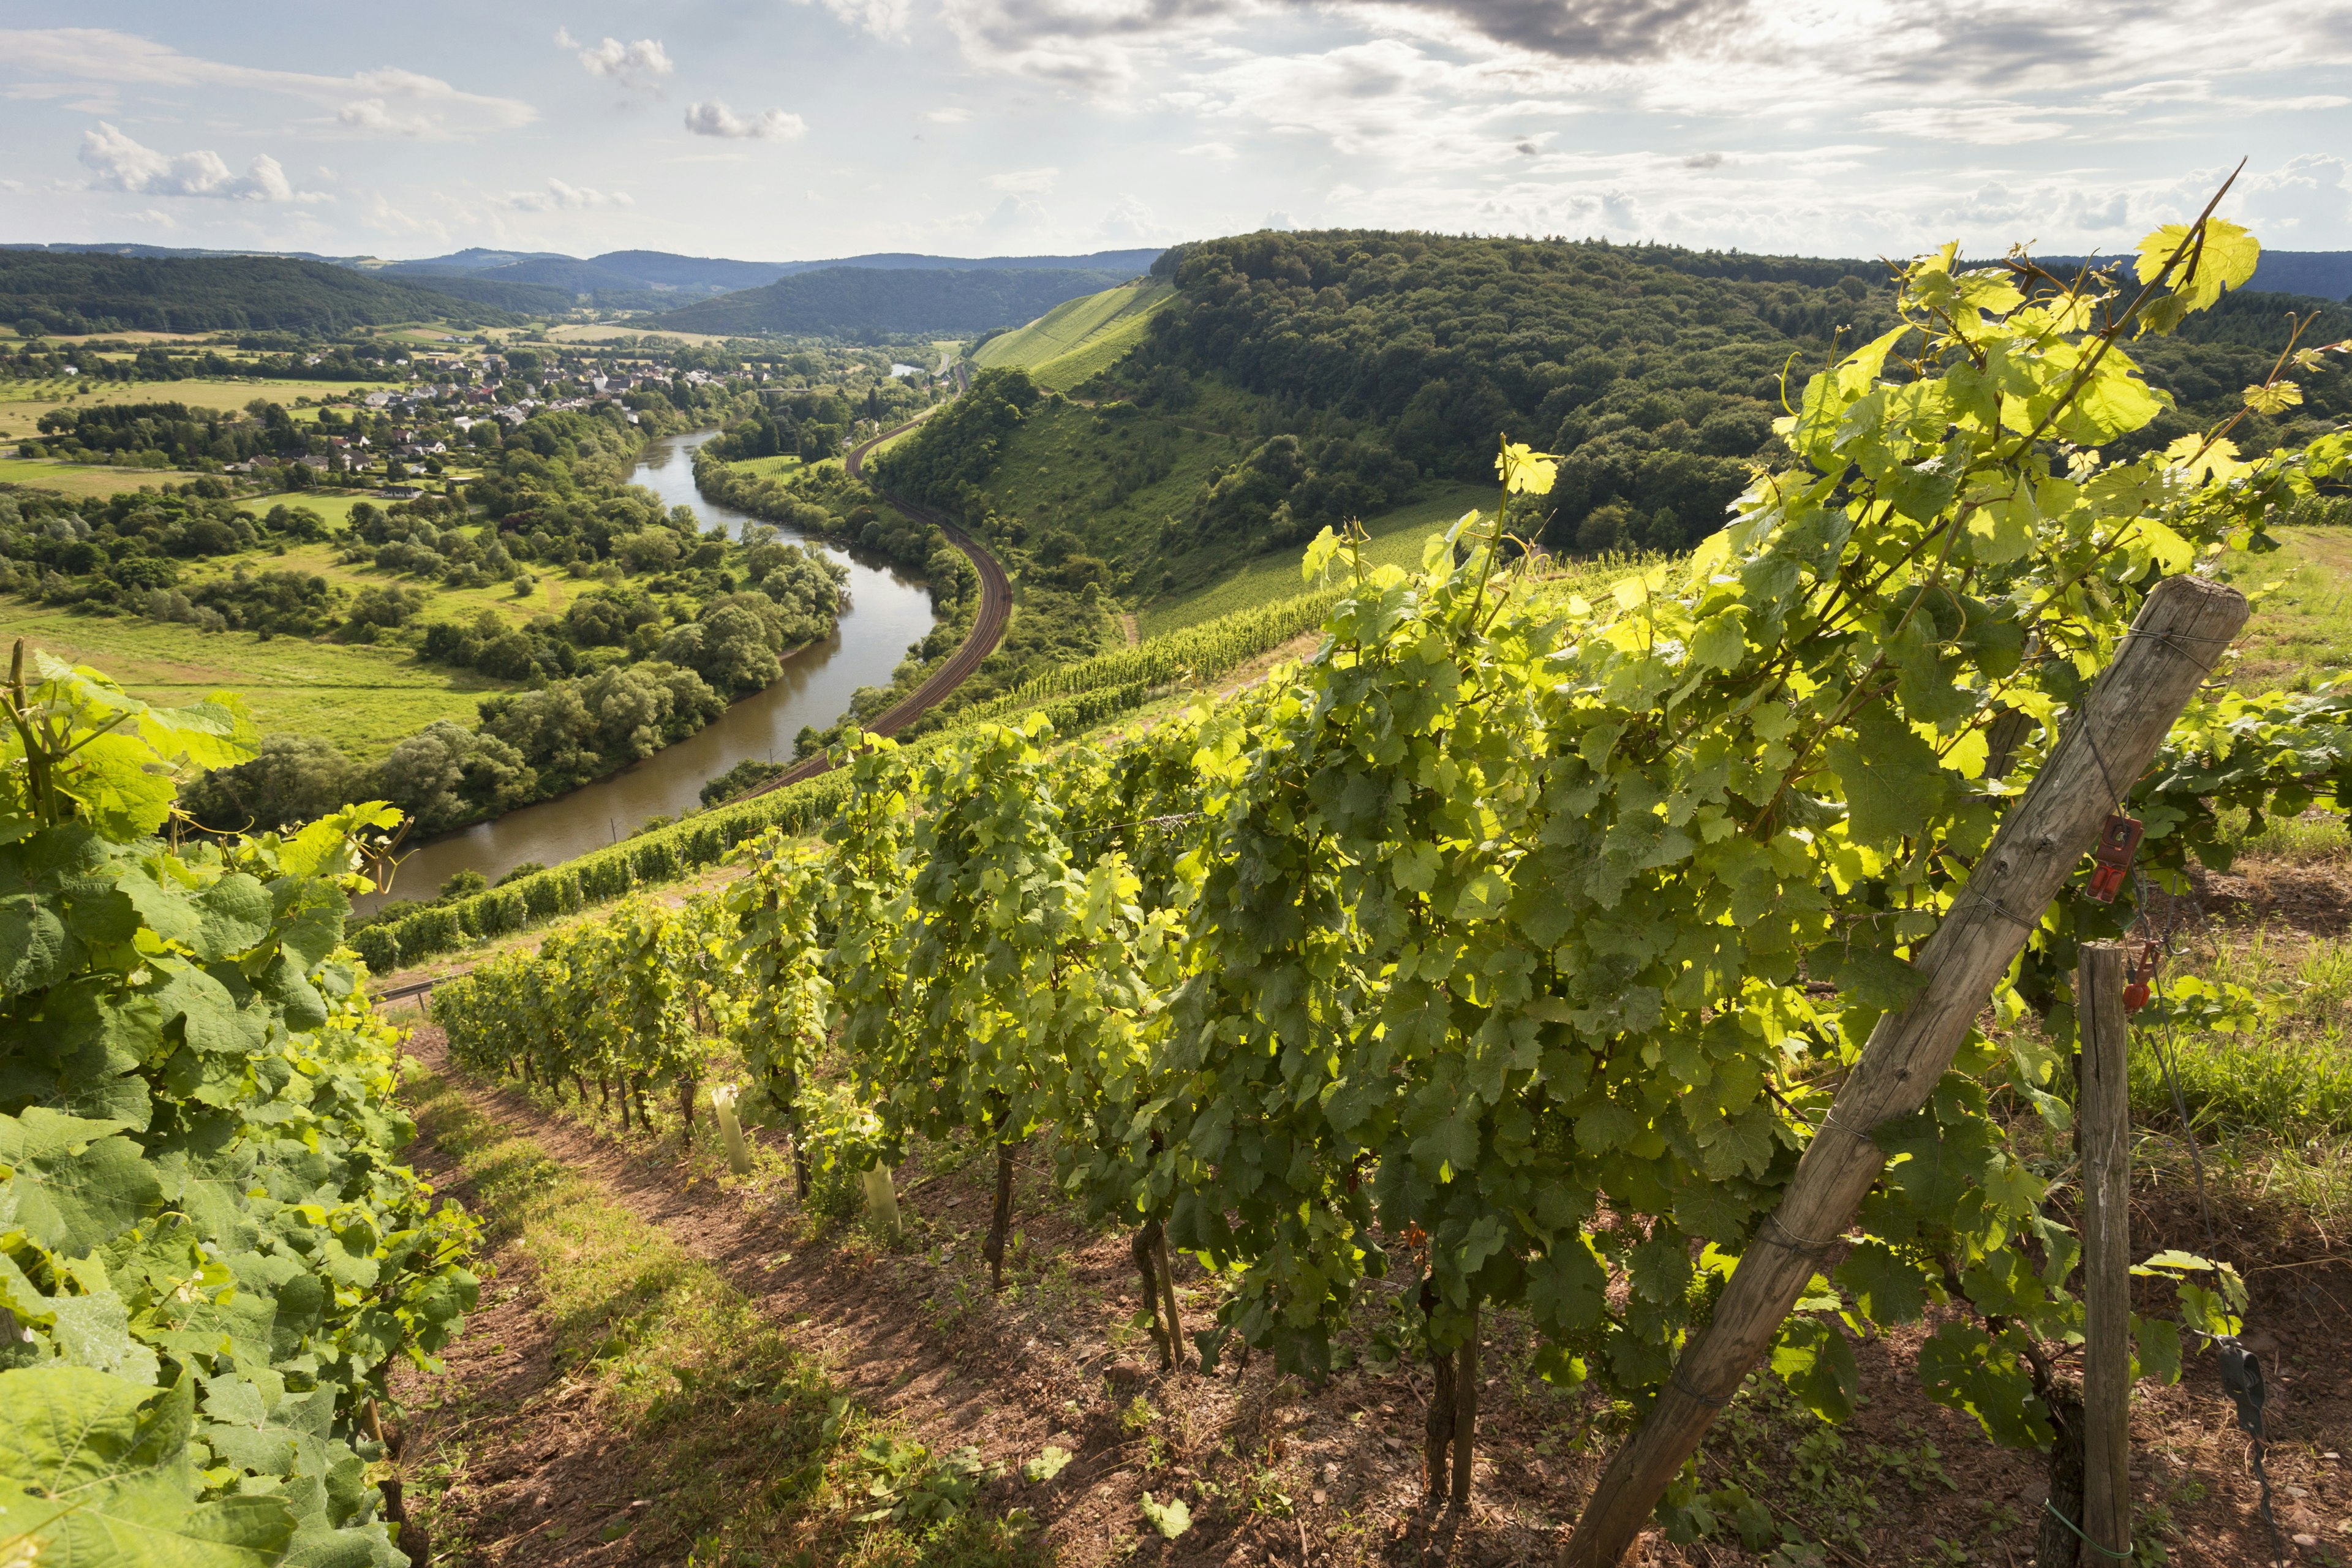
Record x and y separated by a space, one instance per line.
1655 370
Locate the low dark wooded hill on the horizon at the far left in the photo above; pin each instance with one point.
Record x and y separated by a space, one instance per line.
91 293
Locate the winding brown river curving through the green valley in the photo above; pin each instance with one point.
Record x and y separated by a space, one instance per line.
888 610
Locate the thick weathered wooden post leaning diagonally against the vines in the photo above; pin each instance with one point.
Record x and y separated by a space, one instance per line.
2113 737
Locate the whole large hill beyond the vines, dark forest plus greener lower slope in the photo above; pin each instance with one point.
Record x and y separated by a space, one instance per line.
1299 380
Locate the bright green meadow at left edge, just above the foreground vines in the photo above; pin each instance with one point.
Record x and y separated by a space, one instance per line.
361 697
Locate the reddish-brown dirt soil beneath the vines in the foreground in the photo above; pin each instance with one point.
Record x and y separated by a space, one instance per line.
1050 1365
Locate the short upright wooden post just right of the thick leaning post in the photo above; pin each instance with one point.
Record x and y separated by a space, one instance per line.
2104 1113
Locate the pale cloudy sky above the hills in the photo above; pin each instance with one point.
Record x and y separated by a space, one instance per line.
980 128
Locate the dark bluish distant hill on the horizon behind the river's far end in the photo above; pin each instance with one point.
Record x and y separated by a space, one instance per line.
857 300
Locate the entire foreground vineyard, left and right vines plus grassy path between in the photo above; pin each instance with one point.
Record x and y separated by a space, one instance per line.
1521 967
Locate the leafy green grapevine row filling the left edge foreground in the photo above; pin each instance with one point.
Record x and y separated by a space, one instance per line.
211 1259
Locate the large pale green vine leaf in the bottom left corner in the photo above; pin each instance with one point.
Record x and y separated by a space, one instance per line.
98 1473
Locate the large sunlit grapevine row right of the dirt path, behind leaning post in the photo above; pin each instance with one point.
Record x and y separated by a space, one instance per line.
1516 949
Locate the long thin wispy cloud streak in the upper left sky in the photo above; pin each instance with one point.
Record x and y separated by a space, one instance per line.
403 102
